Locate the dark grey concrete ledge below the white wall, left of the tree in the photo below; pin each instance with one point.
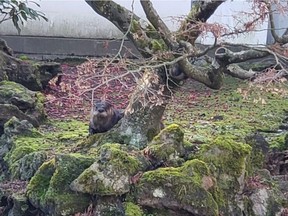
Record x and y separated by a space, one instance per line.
57 46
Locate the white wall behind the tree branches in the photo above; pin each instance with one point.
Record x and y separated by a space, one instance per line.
75 18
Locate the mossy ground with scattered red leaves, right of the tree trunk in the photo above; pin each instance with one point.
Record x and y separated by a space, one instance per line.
238 109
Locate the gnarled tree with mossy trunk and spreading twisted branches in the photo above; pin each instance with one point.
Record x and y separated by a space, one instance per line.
174 55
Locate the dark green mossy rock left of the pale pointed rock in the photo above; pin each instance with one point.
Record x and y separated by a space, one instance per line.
49 188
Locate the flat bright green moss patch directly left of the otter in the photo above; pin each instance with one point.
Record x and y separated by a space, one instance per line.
53 138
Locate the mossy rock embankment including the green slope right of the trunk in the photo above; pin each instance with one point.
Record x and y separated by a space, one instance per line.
211 162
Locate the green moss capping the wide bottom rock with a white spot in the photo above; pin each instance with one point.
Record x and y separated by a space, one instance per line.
180 187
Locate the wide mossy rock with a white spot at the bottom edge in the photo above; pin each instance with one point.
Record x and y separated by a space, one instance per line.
173 188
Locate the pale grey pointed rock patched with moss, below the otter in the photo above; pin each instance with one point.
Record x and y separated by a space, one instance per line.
109 174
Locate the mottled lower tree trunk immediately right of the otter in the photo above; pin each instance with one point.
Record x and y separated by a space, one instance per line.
142 120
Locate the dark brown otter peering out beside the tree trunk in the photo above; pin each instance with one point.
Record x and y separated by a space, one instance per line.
103 117
